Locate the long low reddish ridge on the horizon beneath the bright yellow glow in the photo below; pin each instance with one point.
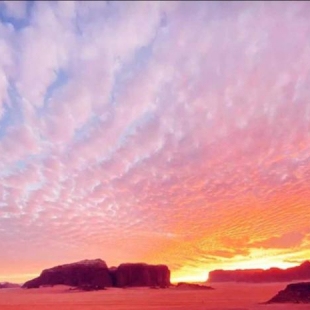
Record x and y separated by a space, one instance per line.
301 272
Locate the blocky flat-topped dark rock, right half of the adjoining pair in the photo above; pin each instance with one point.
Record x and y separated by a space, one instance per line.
140 274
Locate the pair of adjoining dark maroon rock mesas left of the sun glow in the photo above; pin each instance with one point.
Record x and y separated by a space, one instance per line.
94 274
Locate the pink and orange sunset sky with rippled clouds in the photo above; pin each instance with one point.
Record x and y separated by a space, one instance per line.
162 132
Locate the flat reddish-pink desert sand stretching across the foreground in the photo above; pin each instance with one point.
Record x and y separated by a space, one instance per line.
225 296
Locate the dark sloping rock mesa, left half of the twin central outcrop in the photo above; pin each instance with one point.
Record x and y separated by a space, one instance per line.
87 273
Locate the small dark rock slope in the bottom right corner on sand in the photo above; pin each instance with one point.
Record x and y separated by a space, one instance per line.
293 293
